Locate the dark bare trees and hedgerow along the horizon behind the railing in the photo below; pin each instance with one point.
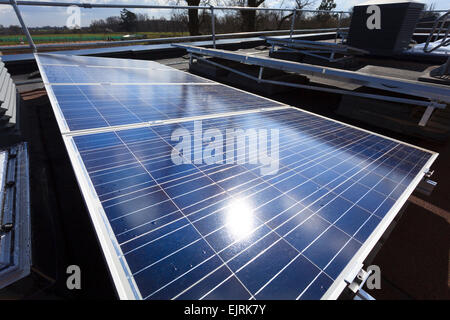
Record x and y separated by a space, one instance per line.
198 21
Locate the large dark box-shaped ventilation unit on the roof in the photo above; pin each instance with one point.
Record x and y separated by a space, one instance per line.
384 27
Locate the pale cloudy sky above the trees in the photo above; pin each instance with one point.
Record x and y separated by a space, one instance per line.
53 16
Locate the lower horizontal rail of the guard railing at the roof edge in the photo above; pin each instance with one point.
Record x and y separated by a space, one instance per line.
165 40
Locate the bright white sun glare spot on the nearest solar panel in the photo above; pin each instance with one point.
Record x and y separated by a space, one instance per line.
240 218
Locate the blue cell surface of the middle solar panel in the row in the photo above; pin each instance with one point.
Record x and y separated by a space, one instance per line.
95 106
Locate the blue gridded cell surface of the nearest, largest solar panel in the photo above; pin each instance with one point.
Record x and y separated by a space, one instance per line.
226 231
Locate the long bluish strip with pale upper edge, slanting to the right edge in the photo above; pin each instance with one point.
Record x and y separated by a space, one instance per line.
426 90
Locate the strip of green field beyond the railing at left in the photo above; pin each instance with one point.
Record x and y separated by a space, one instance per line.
77 37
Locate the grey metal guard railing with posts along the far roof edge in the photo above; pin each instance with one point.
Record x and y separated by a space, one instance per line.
213 36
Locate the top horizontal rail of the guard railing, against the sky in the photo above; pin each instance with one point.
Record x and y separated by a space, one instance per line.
141 6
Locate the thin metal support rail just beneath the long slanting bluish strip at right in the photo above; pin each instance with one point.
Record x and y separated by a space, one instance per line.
322 89
